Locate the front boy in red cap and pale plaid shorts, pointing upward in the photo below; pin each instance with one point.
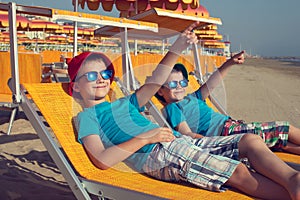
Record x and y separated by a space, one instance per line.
115 132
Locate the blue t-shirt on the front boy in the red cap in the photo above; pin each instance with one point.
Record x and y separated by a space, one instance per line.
116 123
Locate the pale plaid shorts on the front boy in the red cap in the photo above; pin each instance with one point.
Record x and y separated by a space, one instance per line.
206 162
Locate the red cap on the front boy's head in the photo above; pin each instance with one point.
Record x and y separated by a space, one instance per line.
75 64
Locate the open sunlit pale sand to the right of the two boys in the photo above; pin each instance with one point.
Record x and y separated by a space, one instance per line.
264 90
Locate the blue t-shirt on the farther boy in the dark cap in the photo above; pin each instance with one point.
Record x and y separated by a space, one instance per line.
199 116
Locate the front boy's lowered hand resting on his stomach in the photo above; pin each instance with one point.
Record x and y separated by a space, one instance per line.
158 135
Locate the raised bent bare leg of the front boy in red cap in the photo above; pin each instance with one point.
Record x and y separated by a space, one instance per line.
268 164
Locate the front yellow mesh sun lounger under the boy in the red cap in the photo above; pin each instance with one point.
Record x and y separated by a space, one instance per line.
121 182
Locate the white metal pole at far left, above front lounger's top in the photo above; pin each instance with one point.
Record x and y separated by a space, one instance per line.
14 51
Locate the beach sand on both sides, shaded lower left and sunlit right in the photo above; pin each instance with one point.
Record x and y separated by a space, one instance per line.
259 90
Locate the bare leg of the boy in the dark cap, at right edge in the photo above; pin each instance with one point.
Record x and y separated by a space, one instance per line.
293 145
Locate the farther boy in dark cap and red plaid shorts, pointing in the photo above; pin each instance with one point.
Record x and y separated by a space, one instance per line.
190 115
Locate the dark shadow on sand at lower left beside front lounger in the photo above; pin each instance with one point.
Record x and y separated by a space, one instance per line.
22 182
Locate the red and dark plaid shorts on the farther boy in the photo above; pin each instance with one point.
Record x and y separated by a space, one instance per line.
274 134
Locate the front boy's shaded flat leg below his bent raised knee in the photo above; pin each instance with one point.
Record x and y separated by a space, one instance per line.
256 185
